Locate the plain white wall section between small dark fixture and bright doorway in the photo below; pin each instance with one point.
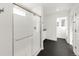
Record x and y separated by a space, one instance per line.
50 25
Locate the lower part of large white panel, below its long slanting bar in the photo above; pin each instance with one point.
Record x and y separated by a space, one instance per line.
23 47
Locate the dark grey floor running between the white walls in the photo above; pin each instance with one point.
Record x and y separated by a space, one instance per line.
59 48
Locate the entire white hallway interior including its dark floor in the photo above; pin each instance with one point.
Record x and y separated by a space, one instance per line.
27 28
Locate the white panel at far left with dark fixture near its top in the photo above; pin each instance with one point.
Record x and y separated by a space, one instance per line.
6 29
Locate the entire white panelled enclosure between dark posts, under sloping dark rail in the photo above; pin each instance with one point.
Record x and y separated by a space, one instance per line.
26 32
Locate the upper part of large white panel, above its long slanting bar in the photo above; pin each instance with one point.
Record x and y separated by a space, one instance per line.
23 25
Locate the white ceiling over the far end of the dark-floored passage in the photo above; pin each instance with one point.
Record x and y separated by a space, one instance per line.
56 7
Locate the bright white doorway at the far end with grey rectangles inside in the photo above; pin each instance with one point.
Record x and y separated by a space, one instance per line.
62 30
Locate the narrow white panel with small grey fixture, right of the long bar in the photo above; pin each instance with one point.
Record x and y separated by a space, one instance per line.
36 34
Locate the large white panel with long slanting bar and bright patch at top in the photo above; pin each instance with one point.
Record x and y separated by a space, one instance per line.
23 32
